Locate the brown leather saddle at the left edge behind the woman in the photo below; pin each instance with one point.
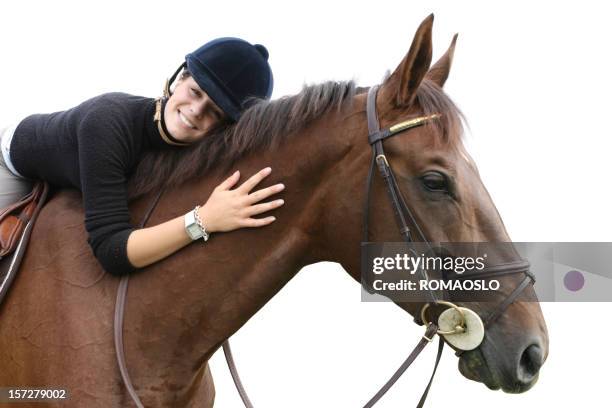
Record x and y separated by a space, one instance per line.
16 224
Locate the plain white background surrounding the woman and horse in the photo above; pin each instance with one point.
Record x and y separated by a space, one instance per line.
531 77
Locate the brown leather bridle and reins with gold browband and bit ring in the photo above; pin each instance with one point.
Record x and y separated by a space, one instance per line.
404 218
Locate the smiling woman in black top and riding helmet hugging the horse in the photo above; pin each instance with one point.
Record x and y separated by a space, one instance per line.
96 145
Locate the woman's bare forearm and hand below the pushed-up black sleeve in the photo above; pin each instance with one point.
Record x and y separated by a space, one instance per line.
225 210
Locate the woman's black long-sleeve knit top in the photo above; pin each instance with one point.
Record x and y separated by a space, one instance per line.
93 147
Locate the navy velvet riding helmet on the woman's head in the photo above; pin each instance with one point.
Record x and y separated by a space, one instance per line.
232 72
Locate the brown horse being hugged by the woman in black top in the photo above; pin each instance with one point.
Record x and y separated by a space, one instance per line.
56 323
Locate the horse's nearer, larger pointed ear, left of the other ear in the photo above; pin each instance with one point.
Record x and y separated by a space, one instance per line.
407 77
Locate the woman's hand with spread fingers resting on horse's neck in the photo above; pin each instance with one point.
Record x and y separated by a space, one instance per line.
227 209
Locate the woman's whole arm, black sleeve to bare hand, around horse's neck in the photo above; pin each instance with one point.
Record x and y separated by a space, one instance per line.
104 149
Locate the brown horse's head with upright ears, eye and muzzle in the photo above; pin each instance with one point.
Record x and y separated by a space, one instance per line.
449 202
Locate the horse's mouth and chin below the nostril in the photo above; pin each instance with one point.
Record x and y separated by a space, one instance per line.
473 366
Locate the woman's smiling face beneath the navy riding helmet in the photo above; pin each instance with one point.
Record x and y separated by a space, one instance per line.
189 113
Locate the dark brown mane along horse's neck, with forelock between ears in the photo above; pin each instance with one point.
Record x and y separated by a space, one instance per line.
265 125
